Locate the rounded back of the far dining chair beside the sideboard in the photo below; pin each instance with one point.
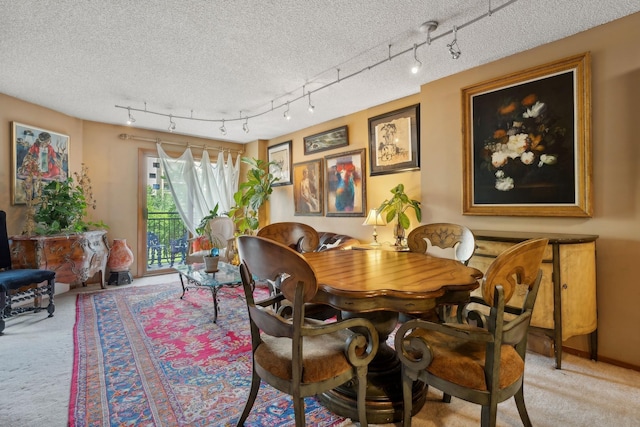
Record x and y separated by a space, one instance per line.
445 236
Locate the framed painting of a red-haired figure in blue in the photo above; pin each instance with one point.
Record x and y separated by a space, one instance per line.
345 184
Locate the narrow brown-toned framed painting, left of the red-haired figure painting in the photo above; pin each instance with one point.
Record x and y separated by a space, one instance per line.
308 188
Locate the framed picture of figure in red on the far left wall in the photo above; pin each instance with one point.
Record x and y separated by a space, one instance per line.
38 154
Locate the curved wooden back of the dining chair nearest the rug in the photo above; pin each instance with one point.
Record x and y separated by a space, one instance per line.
270 260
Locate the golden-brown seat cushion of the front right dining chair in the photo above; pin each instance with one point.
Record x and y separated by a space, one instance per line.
462 362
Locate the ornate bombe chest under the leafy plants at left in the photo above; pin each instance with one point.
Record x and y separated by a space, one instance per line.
75 257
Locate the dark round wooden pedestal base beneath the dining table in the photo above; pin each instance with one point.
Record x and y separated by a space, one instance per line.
384 382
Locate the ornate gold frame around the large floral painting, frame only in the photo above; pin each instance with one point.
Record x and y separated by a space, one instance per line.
583 207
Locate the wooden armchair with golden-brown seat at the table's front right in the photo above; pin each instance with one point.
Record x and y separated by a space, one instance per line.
483 360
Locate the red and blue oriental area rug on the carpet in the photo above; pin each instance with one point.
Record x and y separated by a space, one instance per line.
145 357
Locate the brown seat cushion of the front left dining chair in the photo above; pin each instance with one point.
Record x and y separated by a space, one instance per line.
323 357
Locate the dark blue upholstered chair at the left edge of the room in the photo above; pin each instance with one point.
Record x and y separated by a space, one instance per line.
20 284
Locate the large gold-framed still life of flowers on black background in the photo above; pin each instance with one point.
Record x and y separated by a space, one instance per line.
527 144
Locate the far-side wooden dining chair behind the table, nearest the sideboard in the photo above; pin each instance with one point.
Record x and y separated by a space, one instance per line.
446 236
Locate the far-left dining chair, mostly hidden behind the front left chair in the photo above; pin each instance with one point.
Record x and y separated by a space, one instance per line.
301 238
